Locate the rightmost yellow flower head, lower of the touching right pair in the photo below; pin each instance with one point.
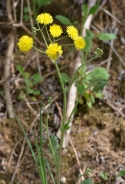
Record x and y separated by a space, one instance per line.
79 43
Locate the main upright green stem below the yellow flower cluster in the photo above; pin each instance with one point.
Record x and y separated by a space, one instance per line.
63 123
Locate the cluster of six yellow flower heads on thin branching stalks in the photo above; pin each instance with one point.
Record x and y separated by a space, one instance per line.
53 49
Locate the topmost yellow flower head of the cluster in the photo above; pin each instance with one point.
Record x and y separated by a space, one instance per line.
44 18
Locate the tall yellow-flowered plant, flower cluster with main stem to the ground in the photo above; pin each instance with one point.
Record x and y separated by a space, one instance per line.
53 50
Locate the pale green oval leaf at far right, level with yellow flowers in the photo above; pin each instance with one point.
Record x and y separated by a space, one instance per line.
106 36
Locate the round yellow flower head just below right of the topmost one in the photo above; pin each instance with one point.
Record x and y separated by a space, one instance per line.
55 30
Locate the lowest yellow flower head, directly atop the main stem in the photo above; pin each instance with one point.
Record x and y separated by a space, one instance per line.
53 51
